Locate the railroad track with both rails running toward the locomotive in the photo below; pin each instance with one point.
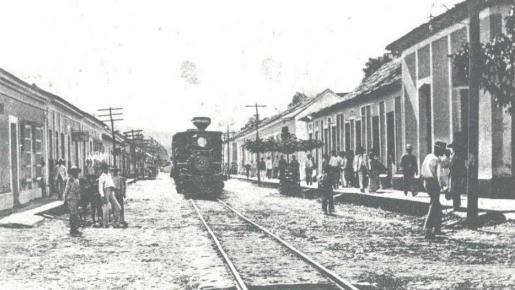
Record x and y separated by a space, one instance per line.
334 281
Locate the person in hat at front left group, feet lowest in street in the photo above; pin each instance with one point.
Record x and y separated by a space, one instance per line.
73 198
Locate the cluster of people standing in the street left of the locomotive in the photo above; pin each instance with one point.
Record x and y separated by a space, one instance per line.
104 193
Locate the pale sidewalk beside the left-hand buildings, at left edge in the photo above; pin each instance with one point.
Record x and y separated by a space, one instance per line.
30 215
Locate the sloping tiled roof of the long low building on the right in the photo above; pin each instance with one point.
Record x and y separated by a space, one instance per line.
386 77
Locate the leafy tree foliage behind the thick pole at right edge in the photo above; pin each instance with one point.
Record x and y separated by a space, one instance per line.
497 71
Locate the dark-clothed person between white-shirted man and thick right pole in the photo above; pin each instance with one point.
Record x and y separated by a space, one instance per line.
457 171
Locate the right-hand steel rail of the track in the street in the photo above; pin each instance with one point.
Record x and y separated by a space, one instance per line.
342 283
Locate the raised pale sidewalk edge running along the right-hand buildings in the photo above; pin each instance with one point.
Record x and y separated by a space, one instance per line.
391 196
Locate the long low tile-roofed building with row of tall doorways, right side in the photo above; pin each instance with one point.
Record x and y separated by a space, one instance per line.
368 117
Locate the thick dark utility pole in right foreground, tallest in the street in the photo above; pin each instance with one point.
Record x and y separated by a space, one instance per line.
474 7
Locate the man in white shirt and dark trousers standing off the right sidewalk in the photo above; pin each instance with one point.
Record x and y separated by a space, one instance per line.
429 173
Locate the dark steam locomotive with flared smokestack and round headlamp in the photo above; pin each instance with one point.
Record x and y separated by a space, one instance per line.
197 160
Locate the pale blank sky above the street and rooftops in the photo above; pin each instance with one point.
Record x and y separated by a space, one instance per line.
165 62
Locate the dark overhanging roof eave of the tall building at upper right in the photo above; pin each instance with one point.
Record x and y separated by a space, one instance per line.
456 14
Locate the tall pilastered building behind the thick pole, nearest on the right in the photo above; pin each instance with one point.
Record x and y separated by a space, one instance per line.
435 102
